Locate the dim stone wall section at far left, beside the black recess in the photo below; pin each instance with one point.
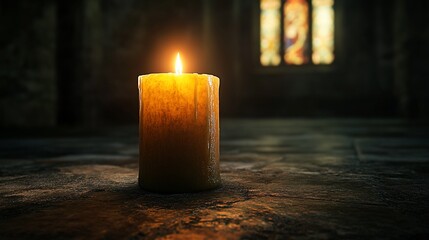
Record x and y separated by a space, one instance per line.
27 63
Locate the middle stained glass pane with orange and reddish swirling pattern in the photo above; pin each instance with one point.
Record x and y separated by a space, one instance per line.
296 31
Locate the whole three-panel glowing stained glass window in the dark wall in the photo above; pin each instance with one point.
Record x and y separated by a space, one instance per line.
296 32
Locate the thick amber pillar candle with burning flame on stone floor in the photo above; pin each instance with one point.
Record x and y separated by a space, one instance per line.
179 131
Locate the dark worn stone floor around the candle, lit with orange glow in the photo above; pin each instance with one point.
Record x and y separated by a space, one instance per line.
295 179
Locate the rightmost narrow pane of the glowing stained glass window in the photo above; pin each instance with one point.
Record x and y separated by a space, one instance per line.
323 31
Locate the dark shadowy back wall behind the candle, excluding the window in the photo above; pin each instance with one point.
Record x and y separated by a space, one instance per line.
77 62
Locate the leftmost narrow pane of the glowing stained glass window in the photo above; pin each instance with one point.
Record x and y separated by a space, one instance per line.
270 32
